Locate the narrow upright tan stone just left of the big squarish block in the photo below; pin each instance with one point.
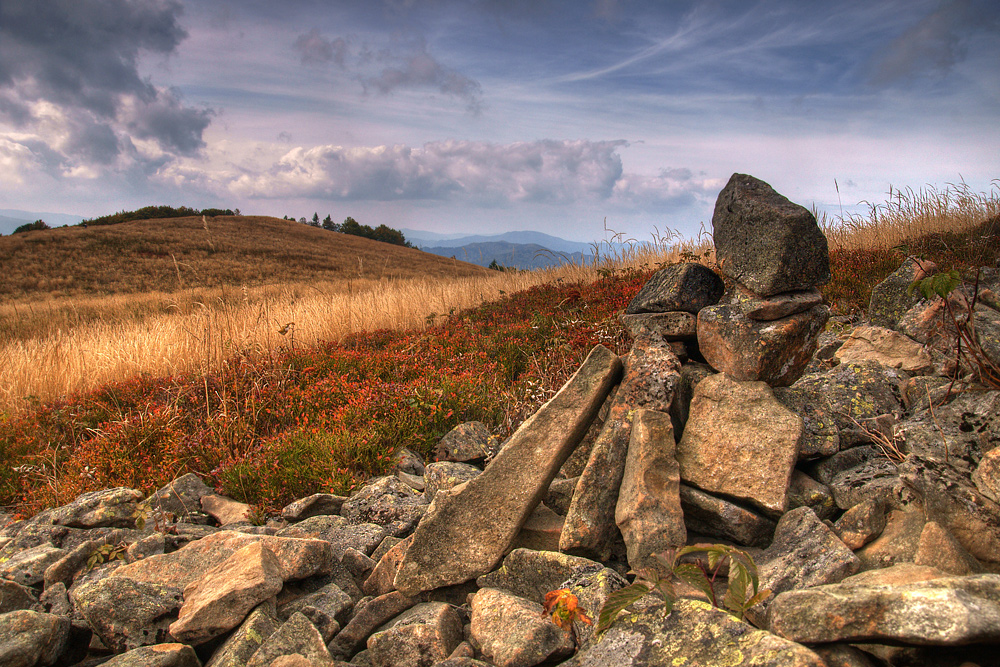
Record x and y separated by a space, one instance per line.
648 512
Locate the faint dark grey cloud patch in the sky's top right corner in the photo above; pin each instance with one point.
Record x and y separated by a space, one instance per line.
934 45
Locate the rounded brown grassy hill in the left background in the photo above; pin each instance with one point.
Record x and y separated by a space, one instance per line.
178 253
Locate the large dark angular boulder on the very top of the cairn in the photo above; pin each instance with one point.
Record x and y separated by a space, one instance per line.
765 242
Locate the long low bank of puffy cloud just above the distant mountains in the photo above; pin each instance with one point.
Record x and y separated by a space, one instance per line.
477 173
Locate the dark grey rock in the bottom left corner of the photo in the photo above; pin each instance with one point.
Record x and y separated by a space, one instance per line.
29 638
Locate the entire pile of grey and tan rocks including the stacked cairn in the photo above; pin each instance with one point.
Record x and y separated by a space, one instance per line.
863 485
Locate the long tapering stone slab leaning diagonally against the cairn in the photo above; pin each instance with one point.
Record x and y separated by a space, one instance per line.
468 529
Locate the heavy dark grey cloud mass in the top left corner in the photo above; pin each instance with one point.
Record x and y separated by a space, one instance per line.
69 81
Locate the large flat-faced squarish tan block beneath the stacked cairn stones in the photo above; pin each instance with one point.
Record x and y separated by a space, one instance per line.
740 442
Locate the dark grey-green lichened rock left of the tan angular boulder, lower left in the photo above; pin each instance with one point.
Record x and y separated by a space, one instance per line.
126 613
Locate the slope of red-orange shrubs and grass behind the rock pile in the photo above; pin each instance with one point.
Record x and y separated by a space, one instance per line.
270 421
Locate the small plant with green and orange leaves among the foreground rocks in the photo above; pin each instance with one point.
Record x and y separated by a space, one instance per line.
742 591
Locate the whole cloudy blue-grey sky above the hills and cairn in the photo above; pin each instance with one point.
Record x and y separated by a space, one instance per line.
582 119
